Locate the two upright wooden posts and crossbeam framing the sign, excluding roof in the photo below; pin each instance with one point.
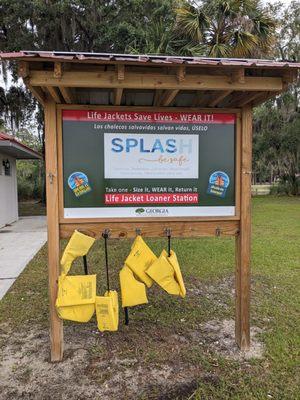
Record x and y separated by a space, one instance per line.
238 226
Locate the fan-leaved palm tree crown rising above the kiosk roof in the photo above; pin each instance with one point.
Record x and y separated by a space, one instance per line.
226 28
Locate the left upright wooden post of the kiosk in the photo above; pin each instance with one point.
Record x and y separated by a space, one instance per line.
56 325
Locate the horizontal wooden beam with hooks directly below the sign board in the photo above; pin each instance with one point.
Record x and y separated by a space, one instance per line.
152 229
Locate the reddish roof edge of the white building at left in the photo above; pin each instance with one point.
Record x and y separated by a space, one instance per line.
12 147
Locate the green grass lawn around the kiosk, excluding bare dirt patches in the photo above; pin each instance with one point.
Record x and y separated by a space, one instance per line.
206 263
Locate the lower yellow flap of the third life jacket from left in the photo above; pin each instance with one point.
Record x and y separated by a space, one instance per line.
133 292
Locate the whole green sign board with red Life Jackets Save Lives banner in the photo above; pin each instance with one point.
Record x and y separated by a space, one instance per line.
143 164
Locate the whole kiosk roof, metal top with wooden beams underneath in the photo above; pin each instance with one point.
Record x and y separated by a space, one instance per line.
151 80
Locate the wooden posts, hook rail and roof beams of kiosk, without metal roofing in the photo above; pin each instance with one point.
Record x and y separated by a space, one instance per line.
51 88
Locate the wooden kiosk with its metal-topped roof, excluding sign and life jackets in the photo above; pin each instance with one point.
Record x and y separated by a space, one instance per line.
92 81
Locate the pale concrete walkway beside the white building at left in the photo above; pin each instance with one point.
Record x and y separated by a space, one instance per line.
19 242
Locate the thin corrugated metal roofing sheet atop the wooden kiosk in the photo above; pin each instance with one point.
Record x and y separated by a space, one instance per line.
149 59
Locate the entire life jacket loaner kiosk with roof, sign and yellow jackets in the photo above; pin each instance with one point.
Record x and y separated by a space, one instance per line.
144 146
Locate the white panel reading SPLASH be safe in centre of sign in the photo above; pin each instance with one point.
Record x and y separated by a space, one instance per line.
152 156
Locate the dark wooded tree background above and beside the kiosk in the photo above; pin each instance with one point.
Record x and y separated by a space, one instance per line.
214 28
